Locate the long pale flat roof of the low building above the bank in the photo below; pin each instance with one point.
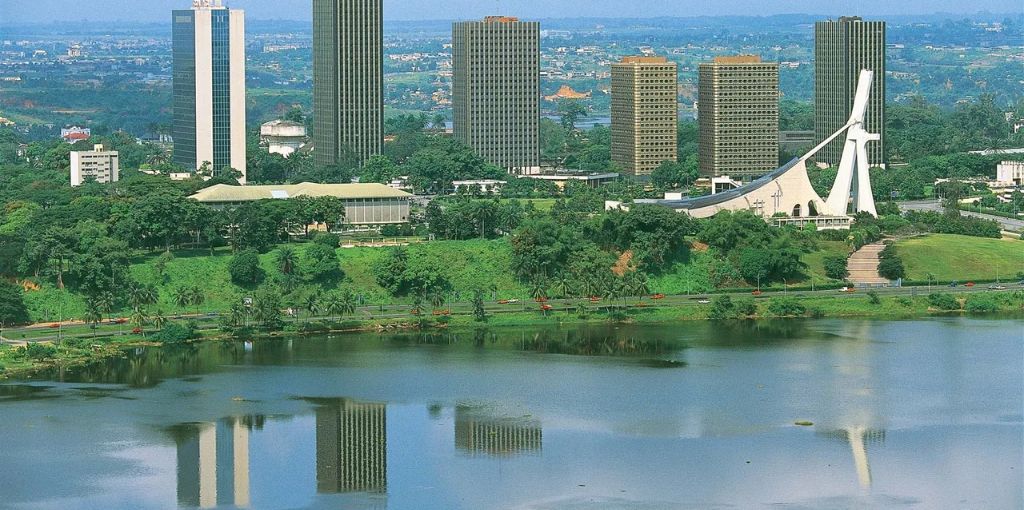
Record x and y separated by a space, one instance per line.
226 193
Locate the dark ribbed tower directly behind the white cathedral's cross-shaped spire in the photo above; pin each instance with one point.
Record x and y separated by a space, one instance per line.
842 51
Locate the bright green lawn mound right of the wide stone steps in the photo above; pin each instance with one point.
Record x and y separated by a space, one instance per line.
961 259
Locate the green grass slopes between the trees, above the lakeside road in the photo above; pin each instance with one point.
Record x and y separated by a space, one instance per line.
487 266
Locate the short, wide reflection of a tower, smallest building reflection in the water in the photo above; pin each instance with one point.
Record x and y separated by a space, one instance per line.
480 433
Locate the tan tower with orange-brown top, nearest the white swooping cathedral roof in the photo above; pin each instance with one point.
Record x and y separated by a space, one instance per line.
739 117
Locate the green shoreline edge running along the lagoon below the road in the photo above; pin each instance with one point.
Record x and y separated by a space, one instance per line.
75 353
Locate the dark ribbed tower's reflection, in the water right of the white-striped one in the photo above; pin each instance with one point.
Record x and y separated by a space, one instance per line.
352 447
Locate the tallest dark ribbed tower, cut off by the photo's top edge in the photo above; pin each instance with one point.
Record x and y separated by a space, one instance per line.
349 81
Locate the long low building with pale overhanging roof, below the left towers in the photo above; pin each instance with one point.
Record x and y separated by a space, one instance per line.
368 204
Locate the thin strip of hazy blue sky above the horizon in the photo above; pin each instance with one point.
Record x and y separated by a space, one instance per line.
157 11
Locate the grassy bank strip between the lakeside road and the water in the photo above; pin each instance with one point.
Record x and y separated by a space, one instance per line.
21 362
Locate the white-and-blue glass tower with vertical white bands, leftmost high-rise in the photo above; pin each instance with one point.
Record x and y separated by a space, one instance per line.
209 90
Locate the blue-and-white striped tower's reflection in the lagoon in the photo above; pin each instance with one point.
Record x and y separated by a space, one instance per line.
214 462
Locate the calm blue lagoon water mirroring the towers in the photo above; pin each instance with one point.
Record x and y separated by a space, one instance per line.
916 414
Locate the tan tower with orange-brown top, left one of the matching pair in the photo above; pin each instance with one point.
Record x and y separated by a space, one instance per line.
645 113
